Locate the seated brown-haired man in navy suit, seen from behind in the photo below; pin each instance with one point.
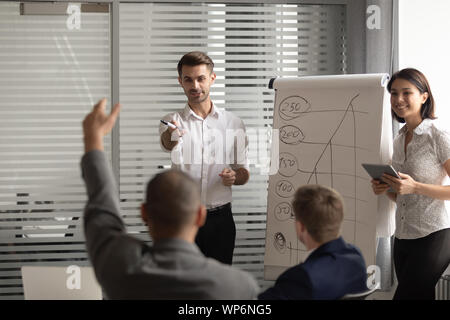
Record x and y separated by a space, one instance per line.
334 268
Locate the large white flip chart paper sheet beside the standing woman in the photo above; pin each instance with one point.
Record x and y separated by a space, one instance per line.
328 126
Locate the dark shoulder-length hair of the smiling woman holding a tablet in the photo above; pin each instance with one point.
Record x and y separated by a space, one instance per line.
419 80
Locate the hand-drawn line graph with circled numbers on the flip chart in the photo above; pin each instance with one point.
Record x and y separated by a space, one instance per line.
309 158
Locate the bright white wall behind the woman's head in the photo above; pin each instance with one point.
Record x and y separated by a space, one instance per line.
424 27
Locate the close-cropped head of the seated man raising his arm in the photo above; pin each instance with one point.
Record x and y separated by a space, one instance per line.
172 200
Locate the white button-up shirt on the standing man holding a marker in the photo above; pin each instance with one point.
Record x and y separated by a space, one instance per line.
206 147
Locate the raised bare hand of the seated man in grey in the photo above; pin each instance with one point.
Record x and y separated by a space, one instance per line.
97 124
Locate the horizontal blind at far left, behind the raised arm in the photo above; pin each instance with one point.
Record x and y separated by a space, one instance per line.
50 76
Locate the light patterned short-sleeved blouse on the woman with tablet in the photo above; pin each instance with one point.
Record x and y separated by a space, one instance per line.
418 215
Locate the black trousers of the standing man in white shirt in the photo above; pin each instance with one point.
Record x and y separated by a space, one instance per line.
216 238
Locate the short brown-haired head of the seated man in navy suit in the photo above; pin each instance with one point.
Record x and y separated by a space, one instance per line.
320 210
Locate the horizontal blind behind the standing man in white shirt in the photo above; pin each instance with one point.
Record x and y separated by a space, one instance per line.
249 44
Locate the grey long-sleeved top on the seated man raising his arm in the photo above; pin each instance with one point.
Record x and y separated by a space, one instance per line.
128 268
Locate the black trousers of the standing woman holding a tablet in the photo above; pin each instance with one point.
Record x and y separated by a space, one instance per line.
419 263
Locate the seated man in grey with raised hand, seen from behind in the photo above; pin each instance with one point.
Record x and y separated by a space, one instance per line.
128 268
